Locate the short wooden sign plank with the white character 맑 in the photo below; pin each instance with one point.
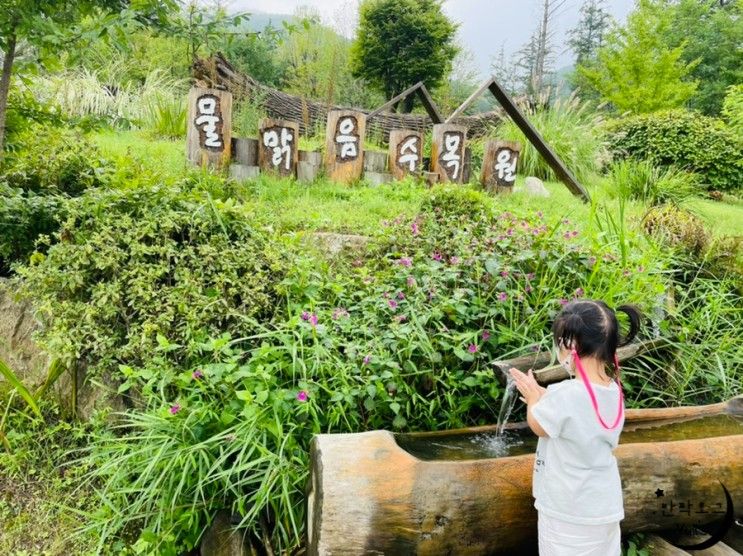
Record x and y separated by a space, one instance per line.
278 149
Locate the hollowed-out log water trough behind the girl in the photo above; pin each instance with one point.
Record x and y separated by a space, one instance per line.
441 493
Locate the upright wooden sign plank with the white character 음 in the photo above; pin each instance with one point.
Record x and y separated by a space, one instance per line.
344 145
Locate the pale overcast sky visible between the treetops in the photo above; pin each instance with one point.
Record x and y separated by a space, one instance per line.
485 25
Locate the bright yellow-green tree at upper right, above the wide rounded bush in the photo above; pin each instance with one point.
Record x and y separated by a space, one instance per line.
635 70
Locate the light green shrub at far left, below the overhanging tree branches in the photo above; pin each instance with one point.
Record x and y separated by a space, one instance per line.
53 160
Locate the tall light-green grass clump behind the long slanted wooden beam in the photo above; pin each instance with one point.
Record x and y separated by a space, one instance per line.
570 128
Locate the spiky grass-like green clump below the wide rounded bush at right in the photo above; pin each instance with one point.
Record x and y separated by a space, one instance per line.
645 182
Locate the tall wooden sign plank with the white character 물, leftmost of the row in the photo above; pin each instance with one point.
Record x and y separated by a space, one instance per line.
209 132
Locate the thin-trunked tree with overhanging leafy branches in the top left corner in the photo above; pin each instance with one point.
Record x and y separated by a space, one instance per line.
54 26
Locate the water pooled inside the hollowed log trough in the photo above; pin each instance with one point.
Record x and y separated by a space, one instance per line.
501 443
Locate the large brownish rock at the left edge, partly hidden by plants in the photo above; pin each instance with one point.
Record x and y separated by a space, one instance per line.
17 347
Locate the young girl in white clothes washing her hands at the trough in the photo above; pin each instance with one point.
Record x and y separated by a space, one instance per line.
576 485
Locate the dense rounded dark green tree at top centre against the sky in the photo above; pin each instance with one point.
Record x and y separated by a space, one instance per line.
401 42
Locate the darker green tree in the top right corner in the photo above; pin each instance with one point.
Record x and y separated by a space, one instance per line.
712 33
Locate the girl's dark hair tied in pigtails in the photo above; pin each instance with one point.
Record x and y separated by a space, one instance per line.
592 328
